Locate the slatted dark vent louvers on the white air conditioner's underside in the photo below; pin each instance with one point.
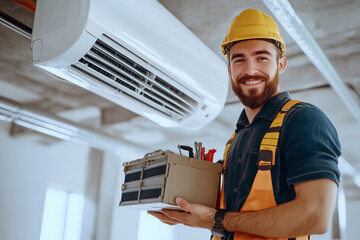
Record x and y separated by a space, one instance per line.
122 75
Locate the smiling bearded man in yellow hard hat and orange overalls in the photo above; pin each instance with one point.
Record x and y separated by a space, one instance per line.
290 195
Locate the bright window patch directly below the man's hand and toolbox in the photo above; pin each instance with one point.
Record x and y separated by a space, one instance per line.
151 228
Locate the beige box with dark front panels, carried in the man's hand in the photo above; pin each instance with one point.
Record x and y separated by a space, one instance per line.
153 182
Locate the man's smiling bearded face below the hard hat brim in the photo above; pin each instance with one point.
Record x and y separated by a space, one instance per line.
254 68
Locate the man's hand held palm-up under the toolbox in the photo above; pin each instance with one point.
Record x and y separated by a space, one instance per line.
195 215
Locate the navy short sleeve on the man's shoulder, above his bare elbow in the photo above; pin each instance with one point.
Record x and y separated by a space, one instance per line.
310 145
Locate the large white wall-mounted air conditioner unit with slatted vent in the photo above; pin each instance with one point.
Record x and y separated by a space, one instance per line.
134 53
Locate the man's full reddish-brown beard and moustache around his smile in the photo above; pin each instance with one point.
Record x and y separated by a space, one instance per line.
255 98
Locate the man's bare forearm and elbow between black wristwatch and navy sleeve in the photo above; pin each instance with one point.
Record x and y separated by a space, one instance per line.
309 213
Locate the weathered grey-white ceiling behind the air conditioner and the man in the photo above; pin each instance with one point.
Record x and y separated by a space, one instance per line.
334 24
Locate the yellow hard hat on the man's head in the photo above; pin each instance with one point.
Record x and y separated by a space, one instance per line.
252 24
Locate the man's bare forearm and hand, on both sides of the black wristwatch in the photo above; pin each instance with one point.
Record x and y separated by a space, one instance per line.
309 213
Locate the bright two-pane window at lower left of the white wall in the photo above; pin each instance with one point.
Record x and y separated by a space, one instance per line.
62 217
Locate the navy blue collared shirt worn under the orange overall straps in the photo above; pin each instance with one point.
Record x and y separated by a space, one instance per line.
308 149
